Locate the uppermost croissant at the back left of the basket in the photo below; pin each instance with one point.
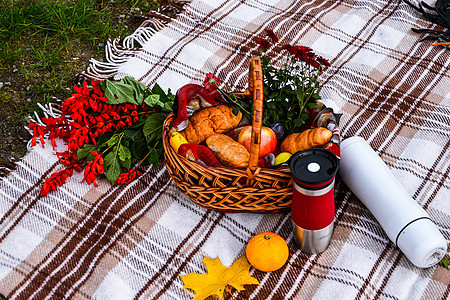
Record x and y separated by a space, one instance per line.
208 121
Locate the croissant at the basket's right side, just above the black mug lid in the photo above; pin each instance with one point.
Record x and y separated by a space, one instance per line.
310 138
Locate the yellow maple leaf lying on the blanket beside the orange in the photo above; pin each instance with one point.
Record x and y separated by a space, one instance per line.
218 277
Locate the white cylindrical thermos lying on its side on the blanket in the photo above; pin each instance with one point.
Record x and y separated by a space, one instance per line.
406 224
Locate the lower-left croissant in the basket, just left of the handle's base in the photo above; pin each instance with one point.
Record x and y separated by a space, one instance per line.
229 152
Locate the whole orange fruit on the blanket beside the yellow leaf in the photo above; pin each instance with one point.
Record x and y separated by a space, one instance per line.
267 251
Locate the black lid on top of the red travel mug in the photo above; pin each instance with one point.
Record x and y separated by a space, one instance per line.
314 166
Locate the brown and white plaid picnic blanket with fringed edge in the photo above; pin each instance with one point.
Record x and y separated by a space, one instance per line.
133 241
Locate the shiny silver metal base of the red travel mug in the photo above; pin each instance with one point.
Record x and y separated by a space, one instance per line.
313 241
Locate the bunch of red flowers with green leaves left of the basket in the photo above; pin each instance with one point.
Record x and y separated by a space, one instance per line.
106 126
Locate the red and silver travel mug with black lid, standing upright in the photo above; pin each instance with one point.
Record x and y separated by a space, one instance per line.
312 208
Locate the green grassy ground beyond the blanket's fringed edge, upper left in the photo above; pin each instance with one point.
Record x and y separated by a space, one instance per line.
44 44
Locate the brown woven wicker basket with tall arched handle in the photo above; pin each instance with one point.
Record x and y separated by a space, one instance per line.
255 189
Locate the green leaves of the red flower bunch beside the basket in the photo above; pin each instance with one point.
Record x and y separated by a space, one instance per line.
138 142
